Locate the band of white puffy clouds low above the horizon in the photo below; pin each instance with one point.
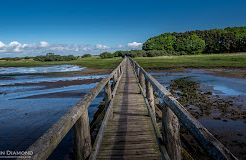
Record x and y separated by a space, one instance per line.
16 49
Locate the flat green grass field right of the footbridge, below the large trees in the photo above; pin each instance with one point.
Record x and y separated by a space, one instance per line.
194 61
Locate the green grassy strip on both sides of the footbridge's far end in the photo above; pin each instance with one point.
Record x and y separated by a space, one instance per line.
237 60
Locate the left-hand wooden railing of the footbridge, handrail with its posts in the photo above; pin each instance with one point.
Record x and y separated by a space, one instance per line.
76 116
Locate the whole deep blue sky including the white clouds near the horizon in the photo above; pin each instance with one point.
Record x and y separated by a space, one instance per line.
35 27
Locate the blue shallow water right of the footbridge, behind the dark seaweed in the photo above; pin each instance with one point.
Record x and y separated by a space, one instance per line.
221 85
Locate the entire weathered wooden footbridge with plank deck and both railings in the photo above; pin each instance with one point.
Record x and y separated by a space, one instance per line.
127 125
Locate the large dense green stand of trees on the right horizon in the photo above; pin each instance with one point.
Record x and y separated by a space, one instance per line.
228 40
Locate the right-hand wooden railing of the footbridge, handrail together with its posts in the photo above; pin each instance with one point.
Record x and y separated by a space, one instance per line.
173 113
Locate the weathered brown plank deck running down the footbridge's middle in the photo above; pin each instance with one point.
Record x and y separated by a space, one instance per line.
129 133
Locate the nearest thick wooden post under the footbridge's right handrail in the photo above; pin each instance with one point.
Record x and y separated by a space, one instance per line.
171 134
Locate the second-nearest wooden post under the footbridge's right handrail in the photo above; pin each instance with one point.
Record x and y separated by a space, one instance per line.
150 95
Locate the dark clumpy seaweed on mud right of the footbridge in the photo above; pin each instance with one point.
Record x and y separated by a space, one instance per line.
202 103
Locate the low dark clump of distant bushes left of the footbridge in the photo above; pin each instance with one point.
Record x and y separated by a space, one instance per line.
54 57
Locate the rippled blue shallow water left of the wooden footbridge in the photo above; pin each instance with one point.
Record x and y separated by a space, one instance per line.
28 109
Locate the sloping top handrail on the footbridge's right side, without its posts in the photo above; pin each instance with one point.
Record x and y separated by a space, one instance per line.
214 148
